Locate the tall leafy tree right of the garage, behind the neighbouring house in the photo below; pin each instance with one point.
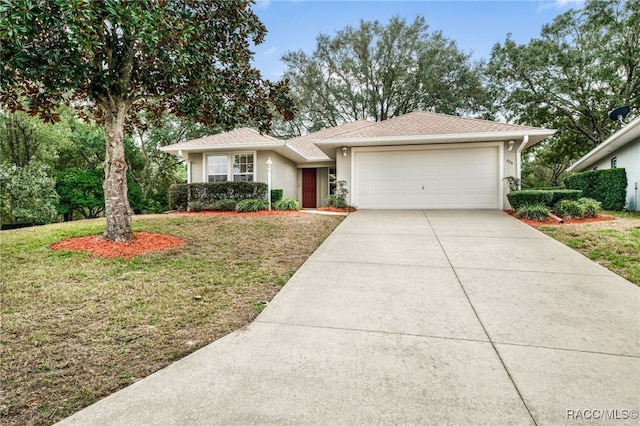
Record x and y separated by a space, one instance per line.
585 63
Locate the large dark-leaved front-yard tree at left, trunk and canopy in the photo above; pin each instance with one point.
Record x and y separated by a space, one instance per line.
114 58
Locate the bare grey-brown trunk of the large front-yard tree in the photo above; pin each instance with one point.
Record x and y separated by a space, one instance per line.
117 209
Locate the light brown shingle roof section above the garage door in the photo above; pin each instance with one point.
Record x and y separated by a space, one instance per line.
421 123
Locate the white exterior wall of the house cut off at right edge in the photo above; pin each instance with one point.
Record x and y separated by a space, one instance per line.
628 158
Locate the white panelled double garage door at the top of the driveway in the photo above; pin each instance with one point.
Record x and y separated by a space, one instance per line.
442 178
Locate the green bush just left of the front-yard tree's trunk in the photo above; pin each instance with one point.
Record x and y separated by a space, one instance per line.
80 191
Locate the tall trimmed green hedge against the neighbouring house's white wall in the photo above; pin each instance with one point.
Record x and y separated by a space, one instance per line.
608 186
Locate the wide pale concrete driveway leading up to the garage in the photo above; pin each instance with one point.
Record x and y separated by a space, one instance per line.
415 317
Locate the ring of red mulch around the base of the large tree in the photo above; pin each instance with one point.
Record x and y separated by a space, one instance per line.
143 242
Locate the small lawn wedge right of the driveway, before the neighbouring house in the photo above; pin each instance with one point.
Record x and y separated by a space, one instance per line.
613 244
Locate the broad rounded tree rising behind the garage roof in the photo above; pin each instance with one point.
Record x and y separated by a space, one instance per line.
378 71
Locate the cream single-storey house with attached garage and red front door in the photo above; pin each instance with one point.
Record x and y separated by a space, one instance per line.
419 160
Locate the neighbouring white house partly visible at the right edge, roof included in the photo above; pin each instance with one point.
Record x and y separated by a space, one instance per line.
621 150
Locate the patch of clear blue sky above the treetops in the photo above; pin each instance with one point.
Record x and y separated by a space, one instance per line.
476 25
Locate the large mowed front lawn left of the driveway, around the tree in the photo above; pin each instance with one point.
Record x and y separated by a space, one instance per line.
76 327
